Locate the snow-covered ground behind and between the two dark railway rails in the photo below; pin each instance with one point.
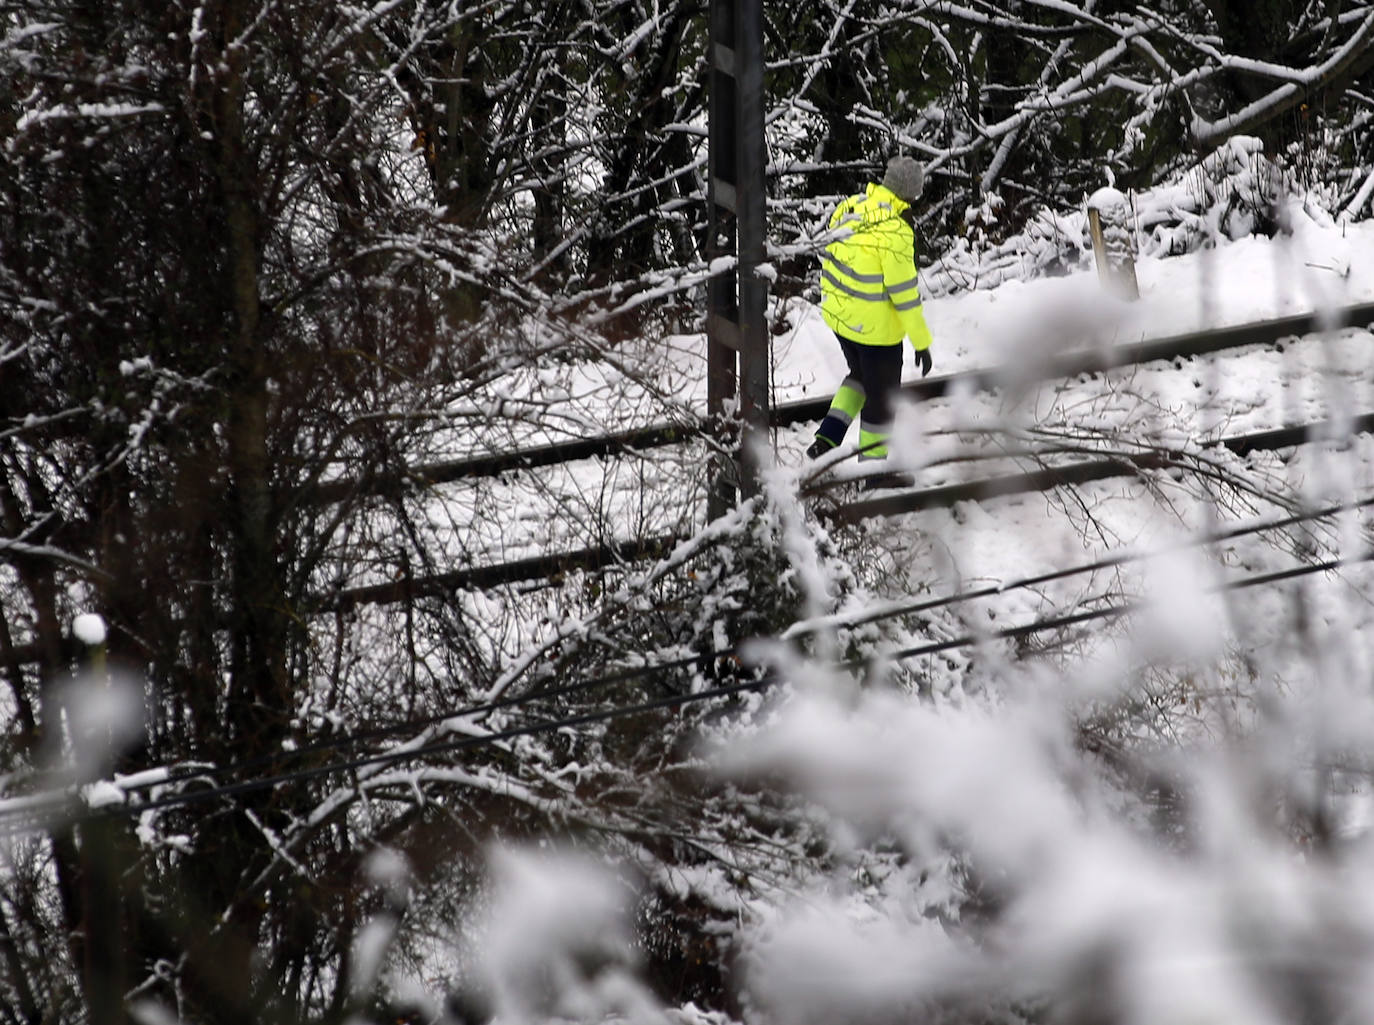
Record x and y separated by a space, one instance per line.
1318 267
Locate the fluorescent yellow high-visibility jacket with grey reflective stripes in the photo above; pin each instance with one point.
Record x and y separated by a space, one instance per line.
869 278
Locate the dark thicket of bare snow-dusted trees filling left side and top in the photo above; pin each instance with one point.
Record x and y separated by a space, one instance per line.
254 247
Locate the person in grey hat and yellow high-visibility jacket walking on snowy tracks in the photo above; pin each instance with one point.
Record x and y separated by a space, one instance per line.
872 303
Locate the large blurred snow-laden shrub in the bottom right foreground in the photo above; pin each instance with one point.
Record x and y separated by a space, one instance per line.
1213 879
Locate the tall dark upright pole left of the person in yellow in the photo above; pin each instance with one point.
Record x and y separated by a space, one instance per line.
737 333
